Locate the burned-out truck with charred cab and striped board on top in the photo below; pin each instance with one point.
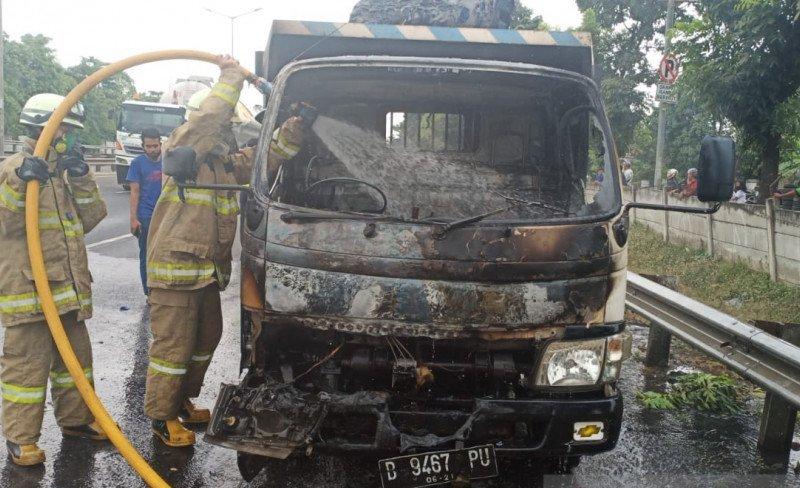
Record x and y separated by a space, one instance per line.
427 278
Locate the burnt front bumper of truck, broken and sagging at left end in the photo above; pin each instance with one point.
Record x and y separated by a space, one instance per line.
276 421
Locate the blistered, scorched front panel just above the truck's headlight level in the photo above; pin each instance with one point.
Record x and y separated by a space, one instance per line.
365 302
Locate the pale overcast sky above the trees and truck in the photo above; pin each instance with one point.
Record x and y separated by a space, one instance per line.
112 29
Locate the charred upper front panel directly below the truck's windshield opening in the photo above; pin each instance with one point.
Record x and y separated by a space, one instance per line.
497 254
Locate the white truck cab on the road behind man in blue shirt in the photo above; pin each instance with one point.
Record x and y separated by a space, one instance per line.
135 116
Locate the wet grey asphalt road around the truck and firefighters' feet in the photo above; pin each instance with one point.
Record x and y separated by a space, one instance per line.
655 449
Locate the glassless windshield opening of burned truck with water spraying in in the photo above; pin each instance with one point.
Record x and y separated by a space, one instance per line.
447 146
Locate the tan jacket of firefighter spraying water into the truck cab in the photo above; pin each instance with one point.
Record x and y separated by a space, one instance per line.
190 241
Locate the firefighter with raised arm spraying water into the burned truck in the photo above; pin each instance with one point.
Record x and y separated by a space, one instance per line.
189 258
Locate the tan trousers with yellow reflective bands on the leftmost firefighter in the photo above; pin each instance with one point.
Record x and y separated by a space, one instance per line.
29 357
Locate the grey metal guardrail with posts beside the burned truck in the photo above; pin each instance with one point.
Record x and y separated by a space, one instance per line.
766 360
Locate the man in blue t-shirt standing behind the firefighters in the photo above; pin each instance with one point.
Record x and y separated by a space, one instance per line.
144 177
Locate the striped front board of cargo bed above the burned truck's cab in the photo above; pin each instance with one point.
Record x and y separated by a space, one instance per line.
291 40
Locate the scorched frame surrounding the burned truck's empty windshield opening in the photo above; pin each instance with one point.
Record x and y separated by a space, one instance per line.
595 122
